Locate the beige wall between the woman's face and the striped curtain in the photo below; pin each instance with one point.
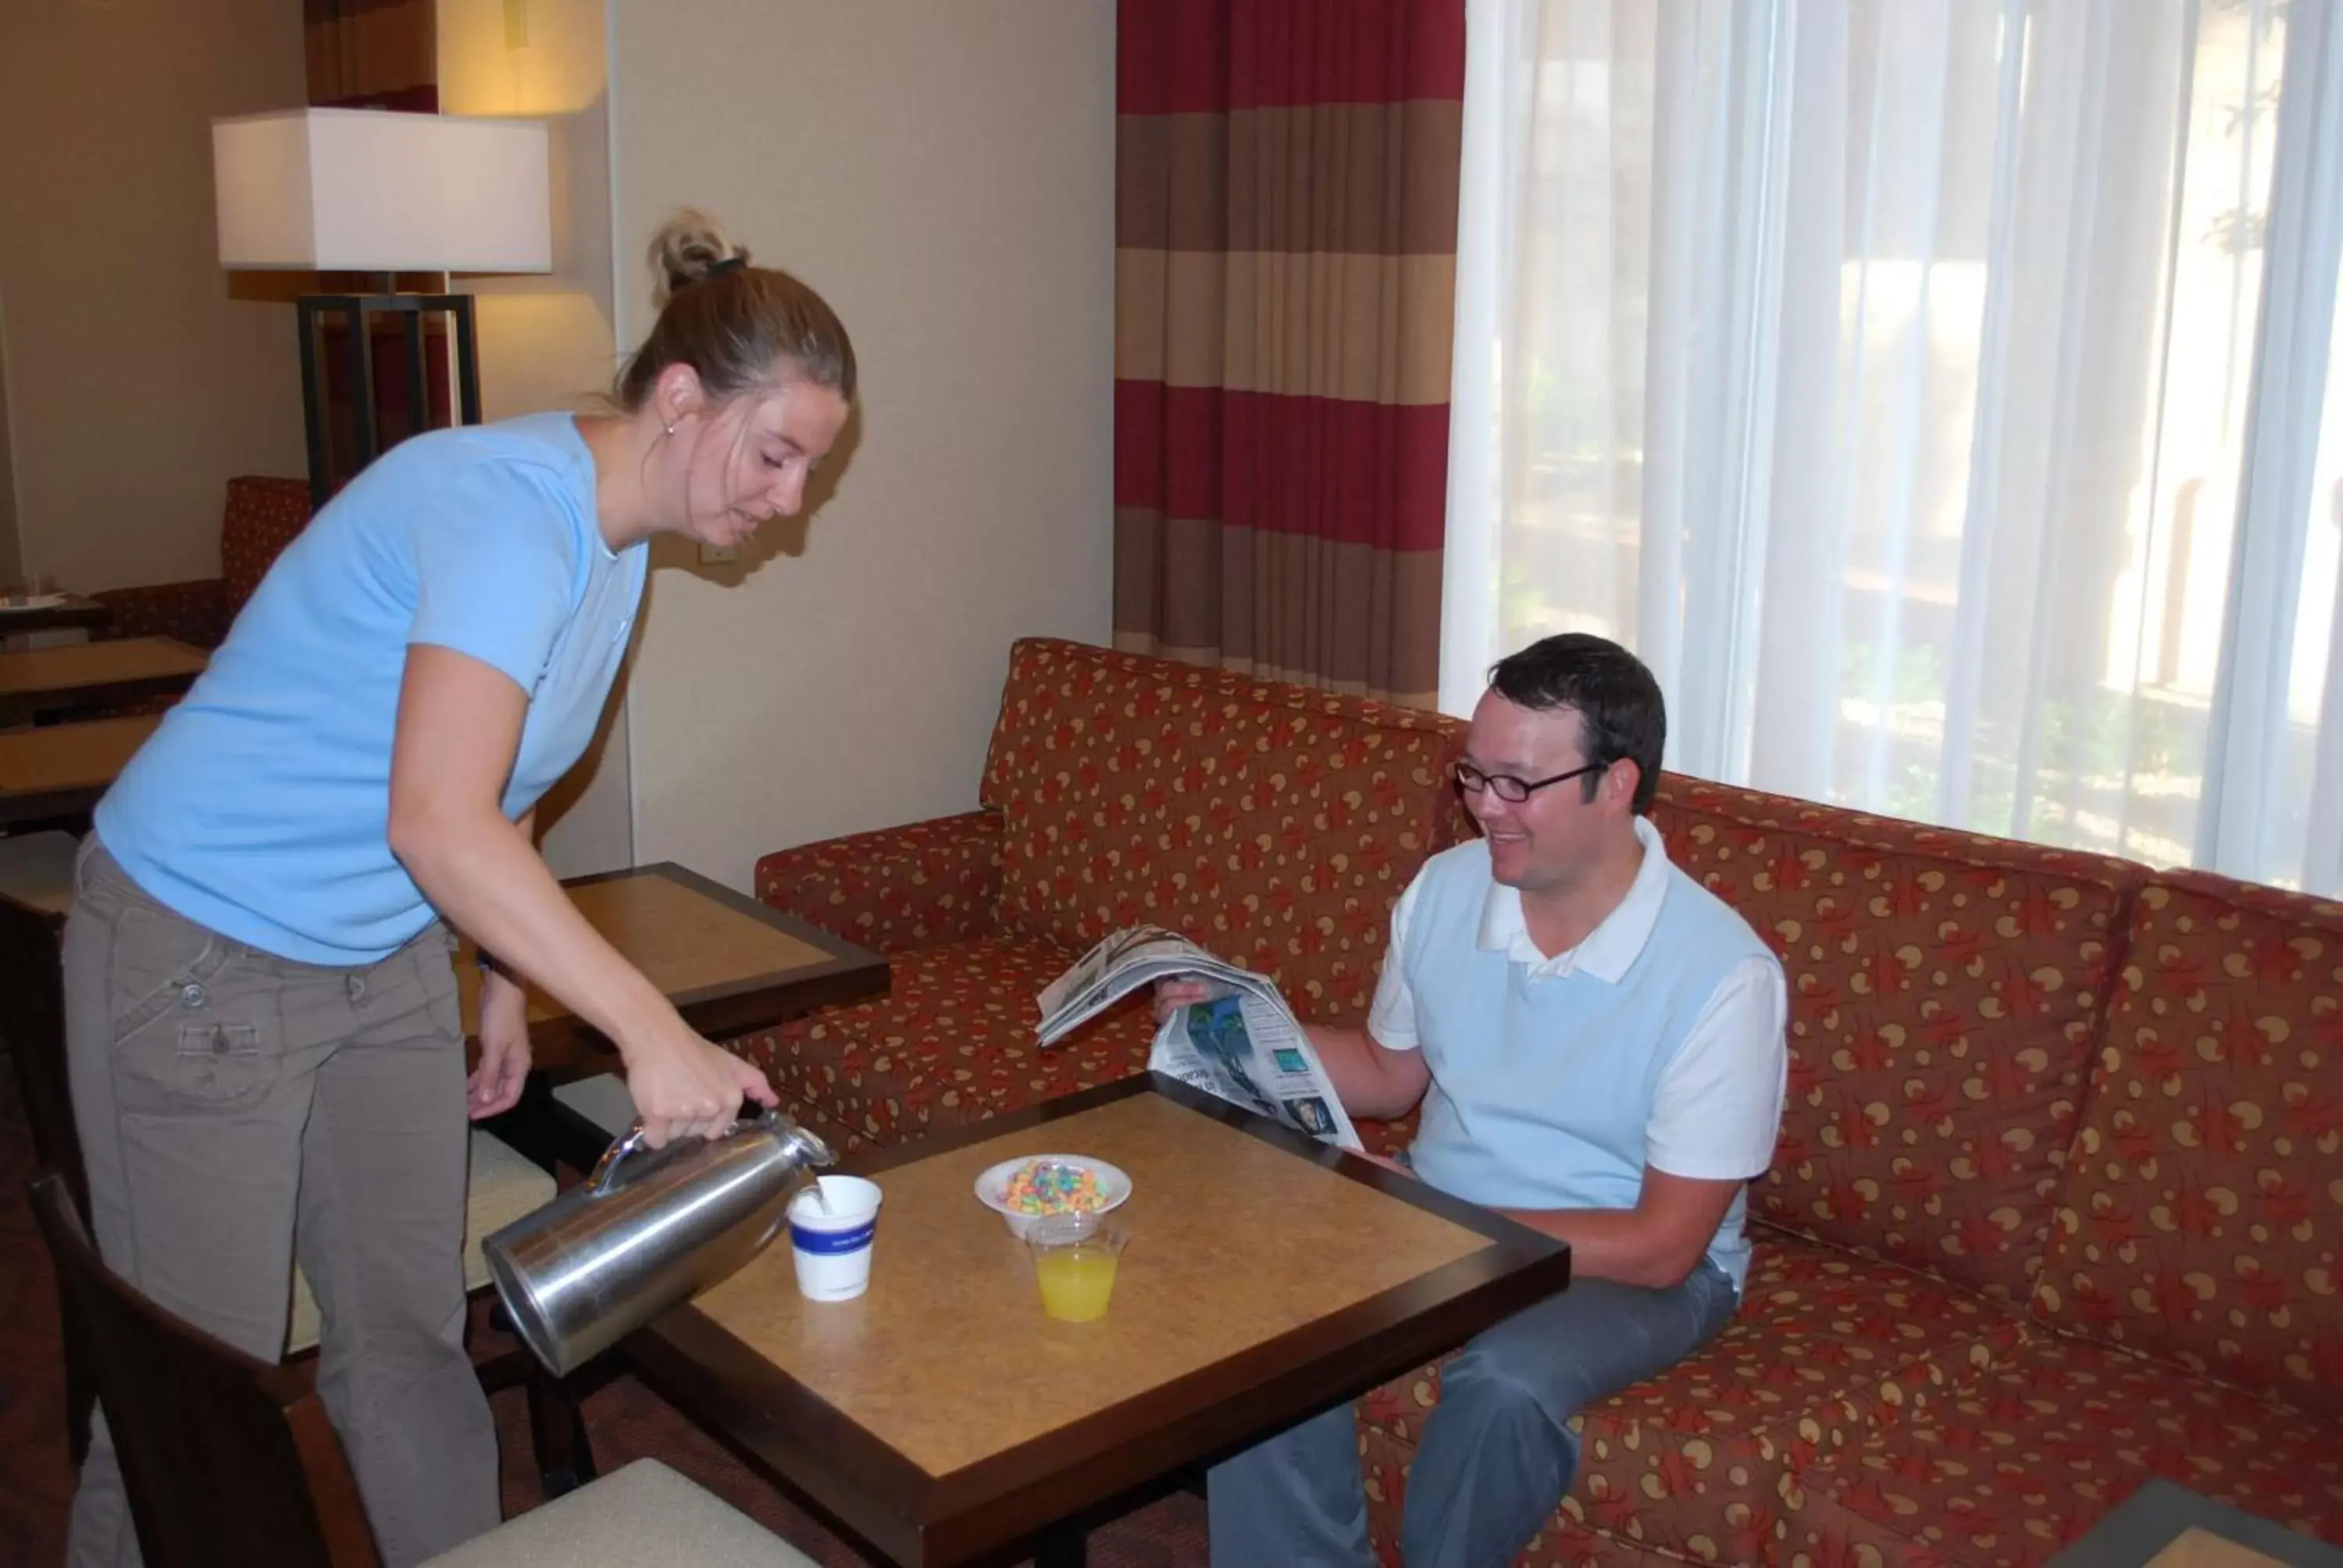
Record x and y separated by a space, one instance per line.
945 177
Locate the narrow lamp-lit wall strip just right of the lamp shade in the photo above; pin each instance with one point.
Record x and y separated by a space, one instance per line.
549 341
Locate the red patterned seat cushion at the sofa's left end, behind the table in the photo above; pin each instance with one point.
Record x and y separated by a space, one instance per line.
952 1042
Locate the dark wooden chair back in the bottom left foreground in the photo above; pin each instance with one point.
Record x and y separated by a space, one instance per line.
226 1459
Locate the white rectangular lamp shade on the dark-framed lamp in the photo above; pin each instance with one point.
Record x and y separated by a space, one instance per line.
376 191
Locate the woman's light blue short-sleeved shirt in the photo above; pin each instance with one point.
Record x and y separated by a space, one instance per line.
261 805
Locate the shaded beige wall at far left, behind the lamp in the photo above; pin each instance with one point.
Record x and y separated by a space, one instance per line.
137 388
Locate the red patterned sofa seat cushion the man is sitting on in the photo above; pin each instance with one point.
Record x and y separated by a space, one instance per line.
1824 1347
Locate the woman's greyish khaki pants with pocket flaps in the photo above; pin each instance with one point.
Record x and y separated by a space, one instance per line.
240 1110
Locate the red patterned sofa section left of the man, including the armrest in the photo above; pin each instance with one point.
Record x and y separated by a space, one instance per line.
1273 824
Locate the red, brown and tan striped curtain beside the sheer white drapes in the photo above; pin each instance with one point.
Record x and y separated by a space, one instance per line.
1285 287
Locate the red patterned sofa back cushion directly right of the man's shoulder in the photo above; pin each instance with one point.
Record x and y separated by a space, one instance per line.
1944 1000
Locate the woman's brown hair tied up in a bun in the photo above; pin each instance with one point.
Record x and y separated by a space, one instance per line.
732 322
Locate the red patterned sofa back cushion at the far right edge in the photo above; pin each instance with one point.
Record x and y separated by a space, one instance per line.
2204 1220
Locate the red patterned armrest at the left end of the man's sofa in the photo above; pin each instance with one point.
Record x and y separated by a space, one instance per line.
896 889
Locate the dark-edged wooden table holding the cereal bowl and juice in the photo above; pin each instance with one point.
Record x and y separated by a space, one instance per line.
943 1419
